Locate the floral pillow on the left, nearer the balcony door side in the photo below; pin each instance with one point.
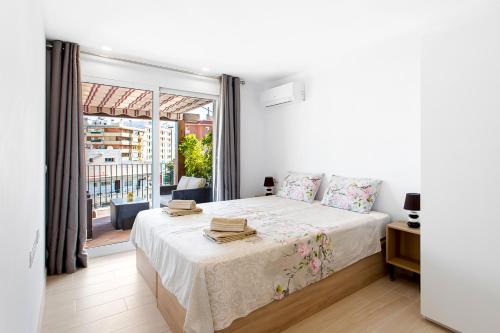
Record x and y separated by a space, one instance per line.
300 186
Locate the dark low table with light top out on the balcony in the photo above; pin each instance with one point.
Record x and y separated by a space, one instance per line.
123 212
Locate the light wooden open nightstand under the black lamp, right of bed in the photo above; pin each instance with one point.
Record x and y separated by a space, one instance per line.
402 247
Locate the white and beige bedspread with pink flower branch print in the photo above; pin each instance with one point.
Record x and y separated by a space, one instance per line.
297 244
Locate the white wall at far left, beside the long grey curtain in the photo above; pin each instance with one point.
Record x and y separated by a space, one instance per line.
22 155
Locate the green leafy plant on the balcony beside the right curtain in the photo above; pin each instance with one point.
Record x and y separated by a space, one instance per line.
197 156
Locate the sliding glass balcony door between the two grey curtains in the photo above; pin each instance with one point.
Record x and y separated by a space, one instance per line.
128 152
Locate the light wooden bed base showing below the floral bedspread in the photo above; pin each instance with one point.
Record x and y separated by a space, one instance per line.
277 315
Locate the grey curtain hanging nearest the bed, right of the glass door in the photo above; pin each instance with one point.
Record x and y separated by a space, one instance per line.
227 141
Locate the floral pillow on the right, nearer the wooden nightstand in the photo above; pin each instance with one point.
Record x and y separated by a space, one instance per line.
354 194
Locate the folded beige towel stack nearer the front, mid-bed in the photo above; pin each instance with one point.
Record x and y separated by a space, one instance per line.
225 229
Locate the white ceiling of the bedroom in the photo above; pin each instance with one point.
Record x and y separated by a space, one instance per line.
257 39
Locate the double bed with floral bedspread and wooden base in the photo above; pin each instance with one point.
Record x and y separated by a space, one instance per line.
305 257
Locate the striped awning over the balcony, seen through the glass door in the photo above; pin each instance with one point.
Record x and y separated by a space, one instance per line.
104 100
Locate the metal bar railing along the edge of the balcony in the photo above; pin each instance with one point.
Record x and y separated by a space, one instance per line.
107 181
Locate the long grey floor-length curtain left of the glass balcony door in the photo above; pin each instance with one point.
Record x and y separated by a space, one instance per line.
66 197
